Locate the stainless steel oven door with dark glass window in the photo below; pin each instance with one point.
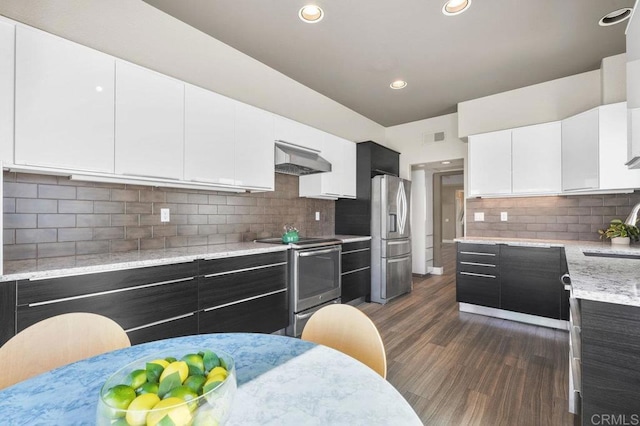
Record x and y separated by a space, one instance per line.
315 276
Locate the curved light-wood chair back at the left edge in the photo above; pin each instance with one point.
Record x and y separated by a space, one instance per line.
57 341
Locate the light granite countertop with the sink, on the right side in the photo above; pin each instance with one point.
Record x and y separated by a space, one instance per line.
603 279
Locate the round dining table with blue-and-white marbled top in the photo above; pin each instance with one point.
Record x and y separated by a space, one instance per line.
281 381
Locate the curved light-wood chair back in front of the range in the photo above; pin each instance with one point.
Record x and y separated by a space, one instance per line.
349 330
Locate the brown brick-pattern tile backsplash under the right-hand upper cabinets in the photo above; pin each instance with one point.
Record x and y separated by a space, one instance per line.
575 217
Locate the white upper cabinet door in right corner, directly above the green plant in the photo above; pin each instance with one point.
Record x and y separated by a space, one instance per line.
614 174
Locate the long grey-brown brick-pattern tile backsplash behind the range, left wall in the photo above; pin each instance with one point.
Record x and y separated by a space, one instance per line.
50 216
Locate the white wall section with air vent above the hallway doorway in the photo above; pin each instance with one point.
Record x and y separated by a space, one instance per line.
409 140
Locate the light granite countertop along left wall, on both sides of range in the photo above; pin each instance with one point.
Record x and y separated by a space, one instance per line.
77 265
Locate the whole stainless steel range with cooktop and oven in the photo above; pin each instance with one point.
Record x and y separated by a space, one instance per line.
314 278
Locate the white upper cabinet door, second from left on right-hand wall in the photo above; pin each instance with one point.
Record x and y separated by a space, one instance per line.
536 156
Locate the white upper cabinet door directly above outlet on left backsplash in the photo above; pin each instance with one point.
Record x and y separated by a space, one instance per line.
149 123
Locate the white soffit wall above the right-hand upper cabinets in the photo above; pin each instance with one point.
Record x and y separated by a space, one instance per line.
549 101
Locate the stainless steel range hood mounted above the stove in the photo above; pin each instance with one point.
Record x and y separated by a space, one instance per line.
292 159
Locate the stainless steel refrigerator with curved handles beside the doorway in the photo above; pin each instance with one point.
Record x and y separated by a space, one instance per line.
390 238
